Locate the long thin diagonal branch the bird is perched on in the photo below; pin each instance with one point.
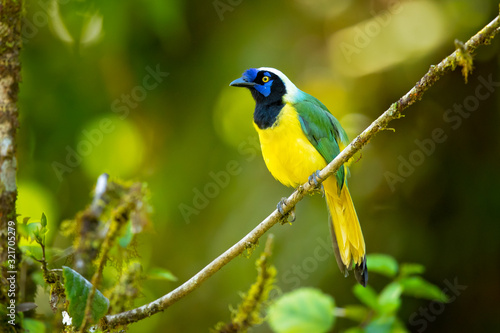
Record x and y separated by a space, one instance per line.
461 56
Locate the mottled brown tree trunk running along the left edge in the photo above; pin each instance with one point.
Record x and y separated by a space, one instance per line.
10 75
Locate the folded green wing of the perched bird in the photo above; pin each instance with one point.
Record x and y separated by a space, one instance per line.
323 131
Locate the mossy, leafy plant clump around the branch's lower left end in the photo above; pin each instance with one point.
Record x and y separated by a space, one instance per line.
102 234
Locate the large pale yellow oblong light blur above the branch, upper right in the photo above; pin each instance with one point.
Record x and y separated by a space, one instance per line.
390 37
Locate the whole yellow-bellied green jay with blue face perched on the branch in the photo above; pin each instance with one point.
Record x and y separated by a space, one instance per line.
298 137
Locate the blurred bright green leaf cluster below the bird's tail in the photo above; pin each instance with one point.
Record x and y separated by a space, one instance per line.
310 310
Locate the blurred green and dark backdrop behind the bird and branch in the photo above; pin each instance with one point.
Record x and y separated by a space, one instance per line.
89 104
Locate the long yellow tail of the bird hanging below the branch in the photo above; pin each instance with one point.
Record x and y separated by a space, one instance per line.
347 236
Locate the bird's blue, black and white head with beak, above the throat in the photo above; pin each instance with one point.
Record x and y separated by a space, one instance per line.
267 85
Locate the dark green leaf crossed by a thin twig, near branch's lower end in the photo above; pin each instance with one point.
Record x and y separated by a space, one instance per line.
77 290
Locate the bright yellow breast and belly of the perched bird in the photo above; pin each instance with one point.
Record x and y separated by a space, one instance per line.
287 152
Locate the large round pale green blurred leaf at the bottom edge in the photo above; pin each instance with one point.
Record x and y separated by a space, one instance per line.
302 310
